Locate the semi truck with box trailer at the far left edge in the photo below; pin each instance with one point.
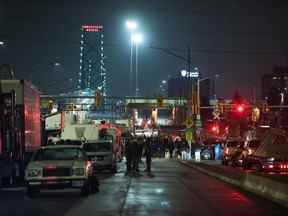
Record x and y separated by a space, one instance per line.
20 128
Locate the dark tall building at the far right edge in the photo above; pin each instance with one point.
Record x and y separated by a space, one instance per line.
275 86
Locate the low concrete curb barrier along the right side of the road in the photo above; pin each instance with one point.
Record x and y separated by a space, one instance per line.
264 187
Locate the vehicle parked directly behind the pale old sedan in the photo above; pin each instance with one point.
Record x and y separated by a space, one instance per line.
102 154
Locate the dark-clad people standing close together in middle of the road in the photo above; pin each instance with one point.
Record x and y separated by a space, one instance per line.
135 148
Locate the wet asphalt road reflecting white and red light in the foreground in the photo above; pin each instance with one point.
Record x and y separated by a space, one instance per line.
173 189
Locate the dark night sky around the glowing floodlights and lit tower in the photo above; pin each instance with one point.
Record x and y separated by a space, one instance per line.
241 40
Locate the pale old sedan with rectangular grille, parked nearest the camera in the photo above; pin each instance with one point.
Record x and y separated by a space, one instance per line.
60 167
